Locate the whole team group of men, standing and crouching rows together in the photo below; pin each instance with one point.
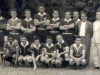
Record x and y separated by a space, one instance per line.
57 42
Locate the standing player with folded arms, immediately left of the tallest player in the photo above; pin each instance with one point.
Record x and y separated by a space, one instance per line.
27 26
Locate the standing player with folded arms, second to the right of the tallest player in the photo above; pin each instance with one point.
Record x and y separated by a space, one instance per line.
67 28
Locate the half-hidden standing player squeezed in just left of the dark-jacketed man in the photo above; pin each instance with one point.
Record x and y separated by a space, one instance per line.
76 20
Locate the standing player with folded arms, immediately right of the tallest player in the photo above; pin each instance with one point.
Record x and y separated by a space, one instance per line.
54 25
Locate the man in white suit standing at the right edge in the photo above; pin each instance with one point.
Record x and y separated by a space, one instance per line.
96 41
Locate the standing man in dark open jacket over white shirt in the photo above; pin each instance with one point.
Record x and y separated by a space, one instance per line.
85 31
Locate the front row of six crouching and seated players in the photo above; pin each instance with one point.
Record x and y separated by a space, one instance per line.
47 54
